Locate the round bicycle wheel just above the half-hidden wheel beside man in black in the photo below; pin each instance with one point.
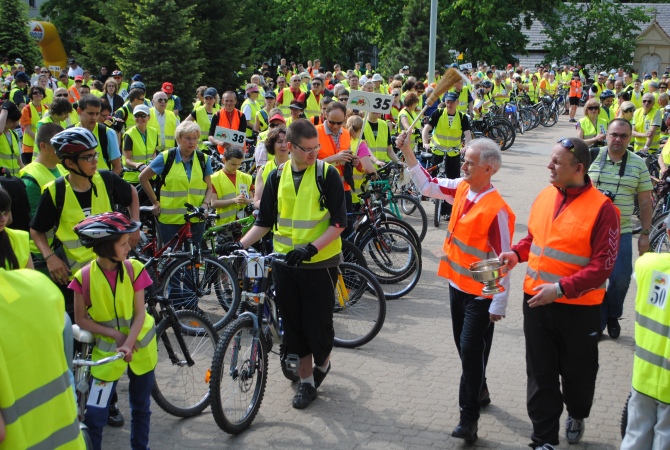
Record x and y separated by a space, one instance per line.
398 272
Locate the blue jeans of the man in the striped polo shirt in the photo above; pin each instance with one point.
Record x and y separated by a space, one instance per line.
619 281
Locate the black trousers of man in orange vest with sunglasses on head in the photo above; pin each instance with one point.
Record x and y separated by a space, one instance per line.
561 348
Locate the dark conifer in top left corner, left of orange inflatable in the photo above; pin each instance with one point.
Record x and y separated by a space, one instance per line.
15 40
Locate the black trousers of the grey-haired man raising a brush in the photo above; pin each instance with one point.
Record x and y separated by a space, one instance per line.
473 335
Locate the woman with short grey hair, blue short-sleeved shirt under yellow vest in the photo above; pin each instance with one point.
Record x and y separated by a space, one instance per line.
186 175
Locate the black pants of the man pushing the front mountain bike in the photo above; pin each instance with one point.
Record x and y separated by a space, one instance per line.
306 298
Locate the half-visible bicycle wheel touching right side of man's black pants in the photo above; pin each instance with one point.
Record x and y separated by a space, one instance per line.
358 320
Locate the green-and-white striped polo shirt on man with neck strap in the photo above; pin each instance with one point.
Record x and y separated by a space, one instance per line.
635 180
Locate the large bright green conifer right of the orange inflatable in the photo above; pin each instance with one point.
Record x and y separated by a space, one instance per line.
145 49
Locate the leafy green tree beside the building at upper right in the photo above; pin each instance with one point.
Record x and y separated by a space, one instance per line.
598 33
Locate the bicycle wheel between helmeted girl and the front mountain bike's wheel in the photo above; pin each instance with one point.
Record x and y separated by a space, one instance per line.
176 387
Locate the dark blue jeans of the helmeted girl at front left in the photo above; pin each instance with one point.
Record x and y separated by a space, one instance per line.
140 409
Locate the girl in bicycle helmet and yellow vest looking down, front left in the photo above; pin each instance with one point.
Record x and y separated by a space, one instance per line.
109 302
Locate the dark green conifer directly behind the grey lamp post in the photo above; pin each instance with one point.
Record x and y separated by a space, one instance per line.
410 45
